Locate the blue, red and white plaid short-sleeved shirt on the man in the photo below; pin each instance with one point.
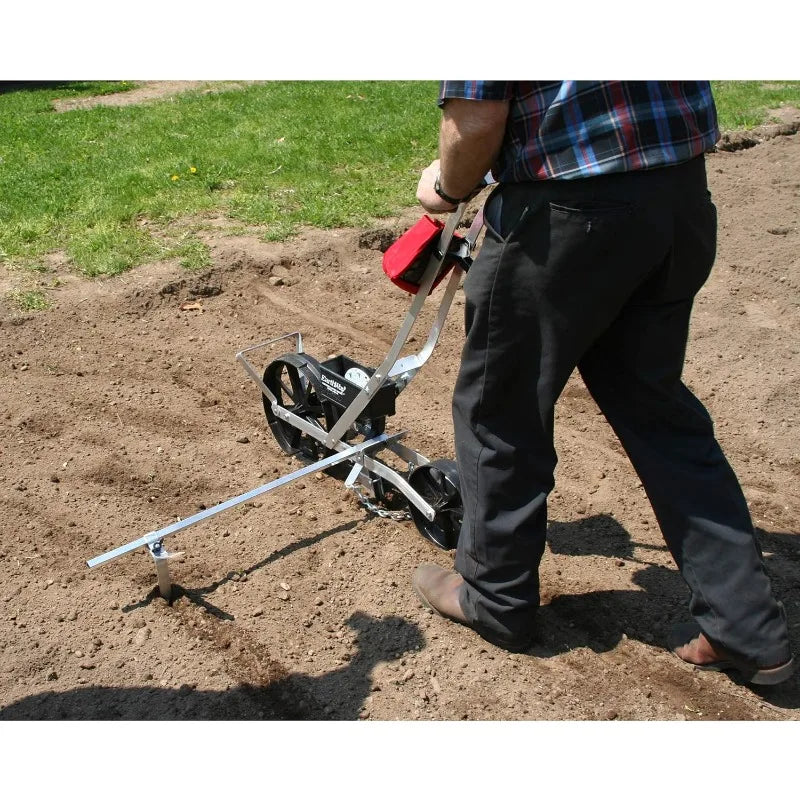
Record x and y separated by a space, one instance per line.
576 129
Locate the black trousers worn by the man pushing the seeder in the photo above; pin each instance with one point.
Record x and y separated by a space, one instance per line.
598 274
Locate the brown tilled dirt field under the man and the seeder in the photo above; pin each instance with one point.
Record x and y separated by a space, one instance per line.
124 409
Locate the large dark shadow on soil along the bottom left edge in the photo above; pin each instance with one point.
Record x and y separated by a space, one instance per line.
336 695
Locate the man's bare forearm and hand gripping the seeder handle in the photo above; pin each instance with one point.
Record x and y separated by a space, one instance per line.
470 138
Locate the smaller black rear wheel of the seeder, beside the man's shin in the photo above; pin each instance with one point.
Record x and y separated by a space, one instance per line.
439 485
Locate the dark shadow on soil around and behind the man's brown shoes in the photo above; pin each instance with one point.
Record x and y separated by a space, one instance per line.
598 619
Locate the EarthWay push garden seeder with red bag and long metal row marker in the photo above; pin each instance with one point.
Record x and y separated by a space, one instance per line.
333 413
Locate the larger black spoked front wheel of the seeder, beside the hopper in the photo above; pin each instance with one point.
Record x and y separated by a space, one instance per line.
291 379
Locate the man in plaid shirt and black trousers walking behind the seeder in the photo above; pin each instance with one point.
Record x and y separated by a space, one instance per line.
599 235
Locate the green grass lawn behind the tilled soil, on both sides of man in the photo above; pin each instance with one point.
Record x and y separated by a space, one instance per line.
274 156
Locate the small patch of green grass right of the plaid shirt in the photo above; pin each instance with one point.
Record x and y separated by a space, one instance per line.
745 104
